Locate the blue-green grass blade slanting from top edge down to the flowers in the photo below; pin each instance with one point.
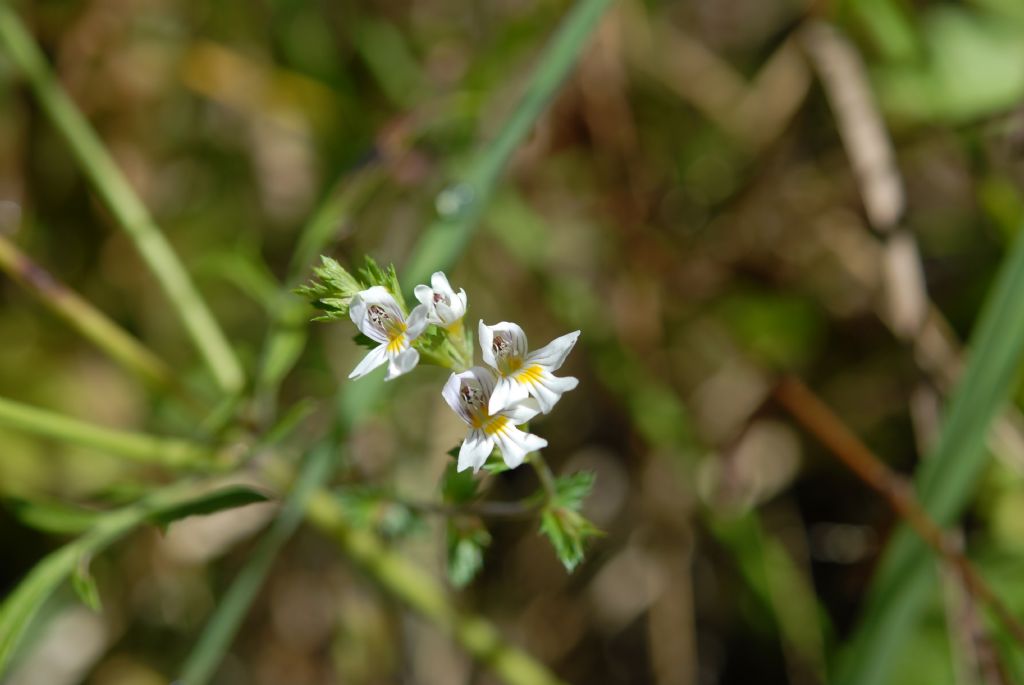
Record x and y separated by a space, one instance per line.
446 239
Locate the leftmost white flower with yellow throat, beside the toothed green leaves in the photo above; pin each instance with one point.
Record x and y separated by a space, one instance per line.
378 316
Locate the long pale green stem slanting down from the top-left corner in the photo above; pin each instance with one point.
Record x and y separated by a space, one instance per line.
124 204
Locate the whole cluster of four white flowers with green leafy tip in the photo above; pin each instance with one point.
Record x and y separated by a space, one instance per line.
494 400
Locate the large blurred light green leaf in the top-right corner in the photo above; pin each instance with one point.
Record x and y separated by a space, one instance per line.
974 68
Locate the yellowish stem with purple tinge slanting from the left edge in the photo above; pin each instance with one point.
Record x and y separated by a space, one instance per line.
86 319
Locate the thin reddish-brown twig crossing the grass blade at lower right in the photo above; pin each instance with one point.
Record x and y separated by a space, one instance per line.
821 421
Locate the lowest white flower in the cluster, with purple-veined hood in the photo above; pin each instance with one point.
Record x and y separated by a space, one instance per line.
467 394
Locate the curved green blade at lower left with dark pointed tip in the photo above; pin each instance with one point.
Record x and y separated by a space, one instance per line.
179 501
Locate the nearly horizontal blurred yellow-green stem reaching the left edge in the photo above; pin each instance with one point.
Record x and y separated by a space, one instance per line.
137 447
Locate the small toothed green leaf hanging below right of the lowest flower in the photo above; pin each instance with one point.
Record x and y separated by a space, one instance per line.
562 522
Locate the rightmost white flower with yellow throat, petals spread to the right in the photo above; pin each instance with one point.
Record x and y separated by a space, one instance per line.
522 373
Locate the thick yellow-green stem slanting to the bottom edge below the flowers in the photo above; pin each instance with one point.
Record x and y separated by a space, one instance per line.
418 590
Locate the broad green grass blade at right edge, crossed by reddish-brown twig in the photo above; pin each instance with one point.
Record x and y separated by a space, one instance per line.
946 482
